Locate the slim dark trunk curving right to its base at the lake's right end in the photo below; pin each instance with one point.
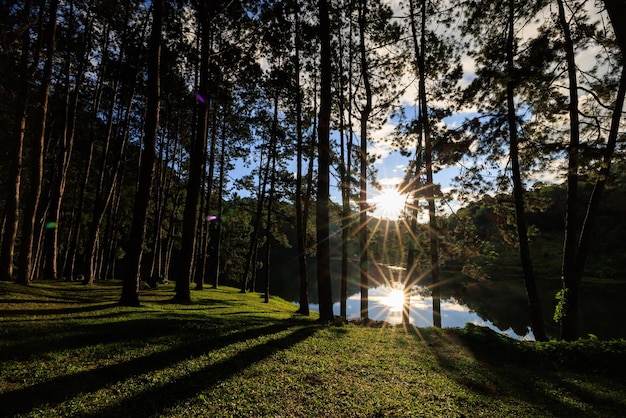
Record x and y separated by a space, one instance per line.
534 302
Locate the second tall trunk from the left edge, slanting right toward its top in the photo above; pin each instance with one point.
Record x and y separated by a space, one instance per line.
30 221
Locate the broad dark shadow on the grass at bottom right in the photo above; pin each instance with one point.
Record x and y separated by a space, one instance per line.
508 371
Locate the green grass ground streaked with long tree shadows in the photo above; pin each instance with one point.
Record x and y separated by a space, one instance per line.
69 350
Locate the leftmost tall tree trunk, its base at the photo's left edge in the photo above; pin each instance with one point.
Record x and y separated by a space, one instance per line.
11 208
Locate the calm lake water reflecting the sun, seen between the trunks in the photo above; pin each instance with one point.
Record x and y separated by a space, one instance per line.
500 304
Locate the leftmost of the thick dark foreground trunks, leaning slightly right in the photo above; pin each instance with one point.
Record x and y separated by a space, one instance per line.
130 285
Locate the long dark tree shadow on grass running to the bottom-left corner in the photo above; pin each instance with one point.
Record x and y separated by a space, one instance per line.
56 390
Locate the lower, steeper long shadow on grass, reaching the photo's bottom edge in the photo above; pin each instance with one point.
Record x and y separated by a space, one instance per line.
155 401
